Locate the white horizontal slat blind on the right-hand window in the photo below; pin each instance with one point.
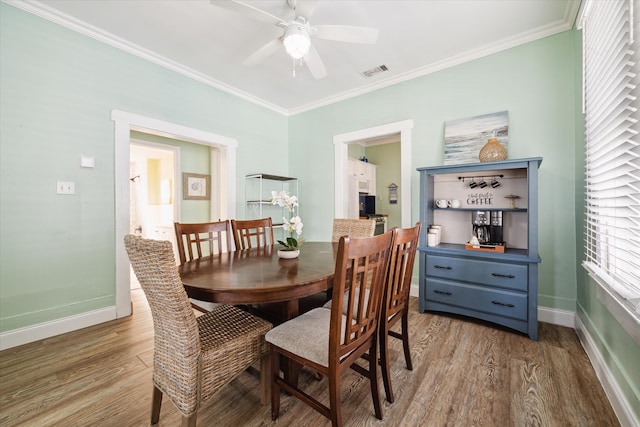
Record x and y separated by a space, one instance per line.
611 61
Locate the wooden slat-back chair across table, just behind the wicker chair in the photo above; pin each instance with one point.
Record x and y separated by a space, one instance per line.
195 240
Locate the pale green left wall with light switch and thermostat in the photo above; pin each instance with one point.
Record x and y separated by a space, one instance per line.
57 90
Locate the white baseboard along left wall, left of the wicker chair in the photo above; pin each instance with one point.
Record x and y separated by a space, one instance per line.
44 330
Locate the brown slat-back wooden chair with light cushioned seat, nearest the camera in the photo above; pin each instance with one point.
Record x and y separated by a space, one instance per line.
329 342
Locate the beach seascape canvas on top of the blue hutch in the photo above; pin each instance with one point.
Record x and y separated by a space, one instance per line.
464 138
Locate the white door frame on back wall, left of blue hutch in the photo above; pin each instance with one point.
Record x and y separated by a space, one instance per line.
341 152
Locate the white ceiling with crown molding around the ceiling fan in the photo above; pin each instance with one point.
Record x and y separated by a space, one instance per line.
209 43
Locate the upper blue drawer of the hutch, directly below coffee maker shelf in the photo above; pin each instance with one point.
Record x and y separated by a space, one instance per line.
510 276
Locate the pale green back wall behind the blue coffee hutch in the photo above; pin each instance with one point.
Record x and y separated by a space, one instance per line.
533 82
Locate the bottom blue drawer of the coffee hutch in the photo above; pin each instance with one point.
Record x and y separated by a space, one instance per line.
494 301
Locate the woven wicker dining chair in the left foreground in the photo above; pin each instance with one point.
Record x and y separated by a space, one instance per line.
193 357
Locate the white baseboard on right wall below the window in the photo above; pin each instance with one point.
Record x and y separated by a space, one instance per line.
619 403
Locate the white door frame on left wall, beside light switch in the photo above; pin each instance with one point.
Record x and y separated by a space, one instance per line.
224 150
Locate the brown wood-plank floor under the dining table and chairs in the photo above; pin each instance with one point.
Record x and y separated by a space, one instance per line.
465 373
